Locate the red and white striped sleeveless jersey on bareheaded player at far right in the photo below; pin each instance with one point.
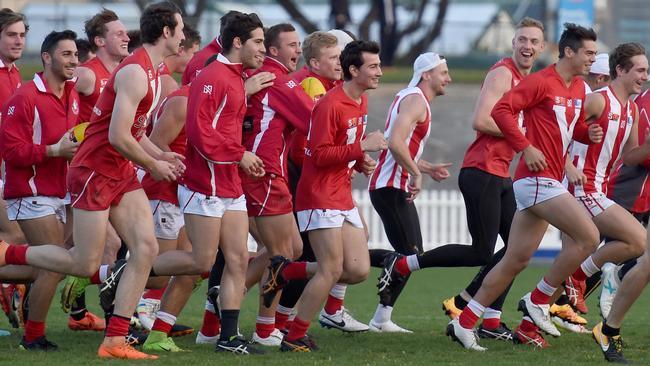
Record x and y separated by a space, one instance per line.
596 160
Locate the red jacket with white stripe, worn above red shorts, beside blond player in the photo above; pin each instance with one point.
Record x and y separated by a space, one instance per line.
272 115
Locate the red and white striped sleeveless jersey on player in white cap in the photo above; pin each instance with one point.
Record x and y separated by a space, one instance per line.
388 172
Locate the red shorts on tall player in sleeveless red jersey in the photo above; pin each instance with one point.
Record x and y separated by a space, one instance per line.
92 191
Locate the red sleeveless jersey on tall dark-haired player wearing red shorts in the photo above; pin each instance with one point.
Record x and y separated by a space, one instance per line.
96 152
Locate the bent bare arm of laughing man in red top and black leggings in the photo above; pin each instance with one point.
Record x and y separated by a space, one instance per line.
497 82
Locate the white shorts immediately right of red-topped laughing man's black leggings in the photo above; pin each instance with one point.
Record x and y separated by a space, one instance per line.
530 191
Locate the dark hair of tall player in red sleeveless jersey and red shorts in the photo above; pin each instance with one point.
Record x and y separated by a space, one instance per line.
155 18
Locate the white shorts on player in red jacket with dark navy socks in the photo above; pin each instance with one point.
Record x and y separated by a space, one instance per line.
212 206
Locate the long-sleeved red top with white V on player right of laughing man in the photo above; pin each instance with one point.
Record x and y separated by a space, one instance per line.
553 113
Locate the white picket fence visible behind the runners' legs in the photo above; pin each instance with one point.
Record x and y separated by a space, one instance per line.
442 221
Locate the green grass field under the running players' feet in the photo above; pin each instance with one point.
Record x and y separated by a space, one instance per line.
418 310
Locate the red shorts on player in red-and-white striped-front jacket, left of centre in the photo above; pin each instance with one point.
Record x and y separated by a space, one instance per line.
267 196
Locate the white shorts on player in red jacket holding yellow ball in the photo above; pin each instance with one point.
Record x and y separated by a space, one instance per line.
27 208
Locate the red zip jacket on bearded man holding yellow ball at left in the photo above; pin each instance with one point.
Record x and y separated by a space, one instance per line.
33 118
